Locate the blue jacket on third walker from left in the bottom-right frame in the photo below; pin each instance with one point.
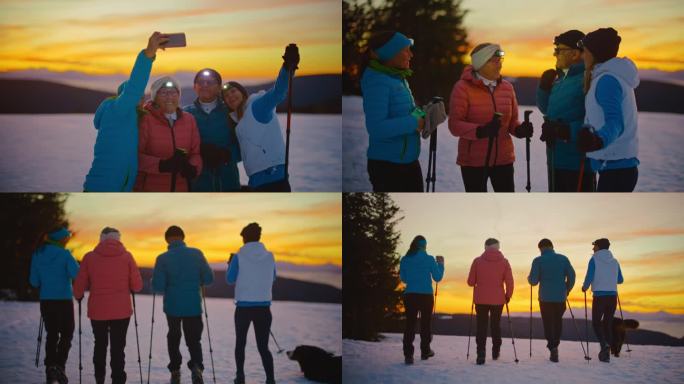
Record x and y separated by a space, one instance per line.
554 274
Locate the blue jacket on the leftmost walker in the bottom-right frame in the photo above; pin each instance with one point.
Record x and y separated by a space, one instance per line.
417 270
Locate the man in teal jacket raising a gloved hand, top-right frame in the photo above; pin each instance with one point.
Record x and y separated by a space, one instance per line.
560 97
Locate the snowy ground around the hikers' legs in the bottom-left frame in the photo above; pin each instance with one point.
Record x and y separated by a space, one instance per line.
293 324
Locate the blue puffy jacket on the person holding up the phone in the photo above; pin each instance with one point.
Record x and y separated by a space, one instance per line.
115 161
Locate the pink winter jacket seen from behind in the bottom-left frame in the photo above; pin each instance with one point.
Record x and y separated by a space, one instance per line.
110 273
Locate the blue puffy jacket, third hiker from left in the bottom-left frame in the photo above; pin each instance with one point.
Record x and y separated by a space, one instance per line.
179 273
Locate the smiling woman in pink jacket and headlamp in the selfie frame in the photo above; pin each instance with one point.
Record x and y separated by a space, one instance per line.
169 142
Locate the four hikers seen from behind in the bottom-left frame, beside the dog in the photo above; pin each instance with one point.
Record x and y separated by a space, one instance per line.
111 275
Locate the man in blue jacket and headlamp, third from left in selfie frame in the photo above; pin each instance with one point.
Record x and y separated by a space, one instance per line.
219 146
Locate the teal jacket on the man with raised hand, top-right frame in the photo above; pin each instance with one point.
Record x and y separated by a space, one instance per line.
565 103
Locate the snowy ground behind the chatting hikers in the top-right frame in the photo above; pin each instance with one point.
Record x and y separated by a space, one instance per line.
660 152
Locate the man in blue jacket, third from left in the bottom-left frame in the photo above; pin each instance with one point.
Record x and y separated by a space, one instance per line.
181 273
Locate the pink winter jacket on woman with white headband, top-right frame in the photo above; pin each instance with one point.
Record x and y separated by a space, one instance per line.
472 105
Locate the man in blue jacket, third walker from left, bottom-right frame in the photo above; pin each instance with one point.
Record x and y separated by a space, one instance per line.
556 277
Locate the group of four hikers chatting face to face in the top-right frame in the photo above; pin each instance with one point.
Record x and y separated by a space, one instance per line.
588 102
